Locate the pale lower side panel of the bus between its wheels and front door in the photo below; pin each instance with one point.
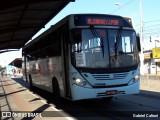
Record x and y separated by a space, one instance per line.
42 72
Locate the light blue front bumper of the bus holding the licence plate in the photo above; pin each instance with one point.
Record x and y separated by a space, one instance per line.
80 93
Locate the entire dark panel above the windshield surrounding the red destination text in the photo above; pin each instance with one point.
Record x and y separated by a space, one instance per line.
102 20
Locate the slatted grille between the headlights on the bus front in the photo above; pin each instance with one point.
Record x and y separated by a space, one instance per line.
110 76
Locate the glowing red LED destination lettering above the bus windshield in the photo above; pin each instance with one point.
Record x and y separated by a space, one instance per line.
102 21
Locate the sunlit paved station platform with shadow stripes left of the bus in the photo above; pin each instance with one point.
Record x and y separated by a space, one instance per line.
18 103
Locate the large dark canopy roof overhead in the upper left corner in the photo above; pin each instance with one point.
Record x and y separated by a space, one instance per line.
20 20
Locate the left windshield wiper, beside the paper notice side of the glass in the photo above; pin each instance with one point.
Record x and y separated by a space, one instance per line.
96 35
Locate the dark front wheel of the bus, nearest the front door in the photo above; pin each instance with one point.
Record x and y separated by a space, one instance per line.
56 93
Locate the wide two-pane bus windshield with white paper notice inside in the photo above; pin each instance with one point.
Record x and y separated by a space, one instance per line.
104 48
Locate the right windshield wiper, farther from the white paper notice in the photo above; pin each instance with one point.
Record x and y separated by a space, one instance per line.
118 38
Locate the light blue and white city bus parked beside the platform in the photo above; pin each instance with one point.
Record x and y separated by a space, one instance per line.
84 56
